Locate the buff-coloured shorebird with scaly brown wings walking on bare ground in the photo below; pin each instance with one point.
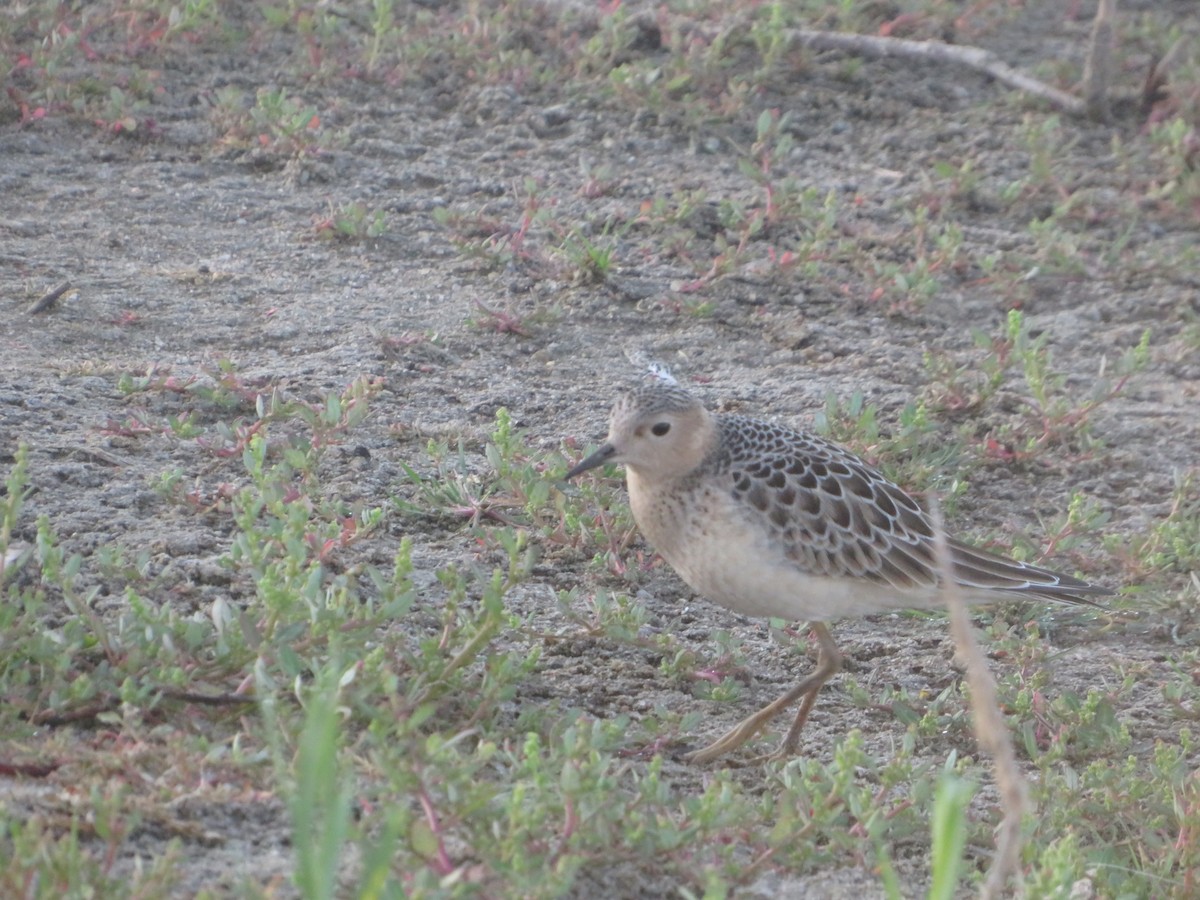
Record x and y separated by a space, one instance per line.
772 521
